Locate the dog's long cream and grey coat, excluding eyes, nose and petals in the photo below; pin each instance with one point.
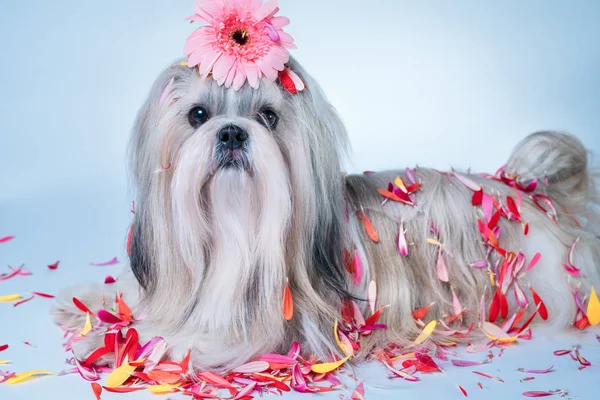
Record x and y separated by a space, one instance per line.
215 243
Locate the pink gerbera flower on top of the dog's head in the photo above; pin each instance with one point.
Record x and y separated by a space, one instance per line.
243 40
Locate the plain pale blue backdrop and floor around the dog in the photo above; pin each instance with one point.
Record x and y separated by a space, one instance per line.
439 83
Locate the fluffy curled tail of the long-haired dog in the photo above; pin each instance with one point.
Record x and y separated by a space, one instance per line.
559 162
